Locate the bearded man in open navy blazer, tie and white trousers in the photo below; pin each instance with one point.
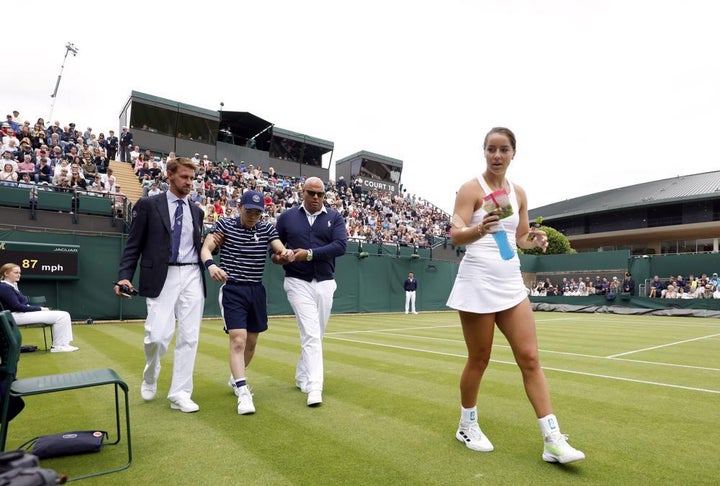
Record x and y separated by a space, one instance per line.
171 279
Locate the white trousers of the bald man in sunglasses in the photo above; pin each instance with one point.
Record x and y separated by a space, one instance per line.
311 302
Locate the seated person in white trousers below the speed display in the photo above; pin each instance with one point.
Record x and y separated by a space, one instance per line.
13 300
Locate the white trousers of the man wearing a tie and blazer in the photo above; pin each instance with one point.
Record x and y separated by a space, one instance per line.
181 298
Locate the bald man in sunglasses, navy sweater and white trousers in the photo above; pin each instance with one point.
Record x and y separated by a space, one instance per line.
317 235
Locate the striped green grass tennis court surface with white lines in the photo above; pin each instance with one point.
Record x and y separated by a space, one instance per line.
638 394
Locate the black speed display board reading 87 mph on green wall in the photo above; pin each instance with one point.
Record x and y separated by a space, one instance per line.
41 260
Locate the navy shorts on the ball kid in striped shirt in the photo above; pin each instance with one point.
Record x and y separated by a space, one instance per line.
244 306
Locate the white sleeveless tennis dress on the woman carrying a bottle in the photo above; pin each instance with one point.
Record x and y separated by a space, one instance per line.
486 283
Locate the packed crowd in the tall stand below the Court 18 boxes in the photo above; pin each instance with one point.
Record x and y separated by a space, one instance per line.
64 158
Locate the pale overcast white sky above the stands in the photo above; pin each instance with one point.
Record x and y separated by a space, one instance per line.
600 93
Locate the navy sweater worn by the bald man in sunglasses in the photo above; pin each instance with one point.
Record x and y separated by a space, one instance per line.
327 238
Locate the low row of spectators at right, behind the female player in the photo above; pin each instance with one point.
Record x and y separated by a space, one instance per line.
692 287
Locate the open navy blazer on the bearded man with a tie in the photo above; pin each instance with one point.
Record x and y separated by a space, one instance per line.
150 241
